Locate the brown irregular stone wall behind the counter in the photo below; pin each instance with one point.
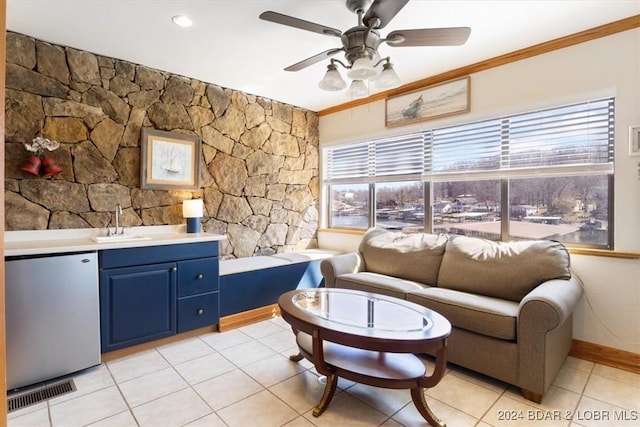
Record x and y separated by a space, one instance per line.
259 168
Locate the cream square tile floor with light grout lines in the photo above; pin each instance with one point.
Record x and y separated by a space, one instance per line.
243 378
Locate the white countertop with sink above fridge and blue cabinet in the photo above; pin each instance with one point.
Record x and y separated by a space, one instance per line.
40 242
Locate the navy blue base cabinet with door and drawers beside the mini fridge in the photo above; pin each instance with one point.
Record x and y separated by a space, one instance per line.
148 293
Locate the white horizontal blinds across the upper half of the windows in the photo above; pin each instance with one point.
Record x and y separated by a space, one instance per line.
575 139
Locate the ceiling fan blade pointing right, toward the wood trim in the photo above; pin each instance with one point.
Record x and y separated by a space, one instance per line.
454 36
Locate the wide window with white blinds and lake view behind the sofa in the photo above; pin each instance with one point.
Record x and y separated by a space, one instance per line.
542 174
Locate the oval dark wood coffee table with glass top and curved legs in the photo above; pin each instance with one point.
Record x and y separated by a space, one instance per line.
367 338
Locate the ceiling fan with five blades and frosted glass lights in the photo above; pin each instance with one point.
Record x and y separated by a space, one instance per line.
360 44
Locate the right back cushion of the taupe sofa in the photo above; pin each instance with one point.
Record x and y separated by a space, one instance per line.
507 270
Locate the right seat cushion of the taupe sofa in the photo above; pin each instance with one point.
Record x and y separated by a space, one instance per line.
488 316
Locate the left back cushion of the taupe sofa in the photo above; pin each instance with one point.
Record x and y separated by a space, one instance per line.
414 257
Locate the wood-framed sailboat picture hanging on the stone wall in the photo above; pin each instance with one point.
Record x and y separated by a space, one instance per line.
169 160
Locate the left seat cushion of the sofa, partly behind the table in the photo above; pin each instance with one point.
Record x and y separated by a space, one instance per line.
377 283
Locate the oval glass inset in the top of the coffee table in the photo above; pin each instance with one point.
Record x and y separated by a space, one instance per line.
363 310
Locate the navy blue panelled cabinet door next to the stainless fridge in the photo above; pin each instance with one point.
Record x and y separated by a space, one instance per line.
137 304
